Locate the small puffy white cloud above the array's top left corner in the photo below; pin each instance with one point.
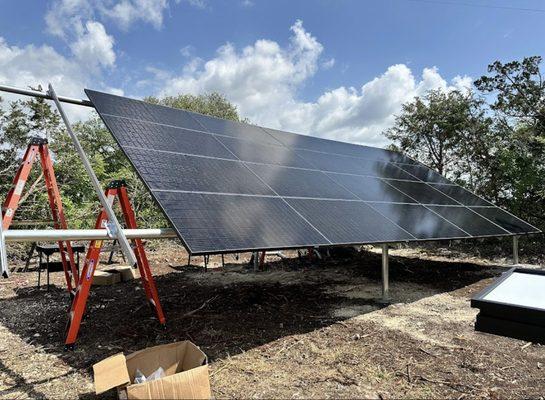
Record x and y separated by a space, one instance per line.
94 47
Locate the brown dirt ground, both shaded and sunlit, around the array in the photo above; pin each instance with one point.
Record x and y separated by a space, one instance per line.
294 330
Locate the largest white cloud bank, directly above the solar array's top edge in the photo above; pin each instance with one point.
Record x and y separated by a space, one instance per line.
264 81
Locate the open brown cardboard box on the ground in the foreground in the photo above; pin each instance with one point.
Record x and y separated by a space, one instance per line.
185 367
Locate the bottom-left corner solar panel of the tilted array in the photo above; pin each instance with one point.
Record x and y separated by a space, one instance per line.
209 222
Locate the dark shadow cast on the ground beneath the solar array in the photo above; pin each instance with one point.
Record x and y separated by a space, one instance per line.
224 319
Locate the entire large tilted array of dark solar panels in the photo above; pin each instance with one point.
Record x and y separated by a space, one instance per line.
227 186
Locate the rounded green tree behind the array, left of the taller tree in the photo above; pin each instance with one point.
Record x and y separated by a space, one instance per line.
447 131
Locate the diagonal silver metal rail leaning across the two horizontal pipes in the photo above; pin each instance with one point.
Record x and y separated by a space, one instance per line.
120 236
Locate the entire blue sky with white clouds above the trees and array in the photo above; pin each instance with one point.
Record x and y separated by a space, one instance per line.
332 68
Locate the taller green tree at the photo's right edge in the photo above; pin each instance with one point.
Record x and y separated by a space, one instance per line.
519 114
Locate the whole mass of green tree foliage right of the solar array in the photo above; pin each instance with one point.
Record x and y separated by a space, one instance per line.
495 148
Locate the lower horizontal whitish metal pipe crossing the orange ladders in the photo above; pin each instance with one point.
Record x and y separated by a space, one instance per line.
54 235
